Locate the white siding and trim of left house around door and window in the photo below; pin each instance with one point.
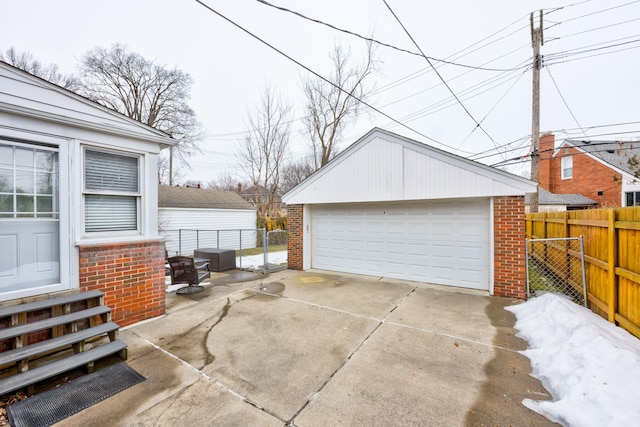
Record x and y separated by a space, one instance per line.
35 113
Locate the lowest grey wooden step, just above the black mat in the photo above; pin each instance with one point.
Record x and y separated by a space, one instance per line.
45 371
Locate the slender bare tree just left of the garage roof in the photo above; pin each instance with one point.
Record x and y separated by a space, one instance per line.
262 152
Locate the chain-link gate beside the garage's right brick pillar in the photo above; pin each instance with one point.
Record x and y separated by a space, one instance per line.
556 265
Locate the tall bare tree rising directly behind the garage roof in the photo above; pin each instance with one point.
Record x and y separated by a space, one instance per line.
331 107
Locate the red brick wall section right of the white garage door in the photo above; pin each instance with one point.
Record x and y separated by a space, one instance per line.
509 252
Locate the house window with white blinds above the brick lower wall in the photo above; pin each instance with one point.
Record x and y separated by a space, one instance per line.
111 191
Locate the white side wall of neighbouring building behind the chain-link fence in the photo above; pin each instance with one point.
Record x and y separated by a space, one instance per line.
216 228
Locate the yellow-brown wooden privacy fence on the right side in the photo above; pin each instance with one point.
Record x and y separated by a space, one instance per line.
612 257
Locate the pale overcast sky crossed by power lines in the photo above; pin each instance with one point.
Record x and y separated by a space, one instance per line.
588 83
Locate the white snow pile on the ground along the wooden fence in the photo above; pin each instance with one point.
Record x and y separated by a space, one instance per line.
590 366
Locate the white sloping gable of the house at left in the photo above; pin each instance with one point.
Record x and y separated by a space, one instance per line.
27 95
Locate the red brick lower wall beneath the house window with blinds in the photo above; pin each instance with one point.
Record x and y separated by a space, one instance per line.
131 275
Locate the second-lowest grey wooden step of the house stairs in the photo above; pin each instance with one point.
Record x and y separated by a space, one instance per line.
46 346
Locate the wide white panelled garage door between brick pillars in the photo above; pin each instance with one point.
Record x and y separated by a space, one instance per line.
437 242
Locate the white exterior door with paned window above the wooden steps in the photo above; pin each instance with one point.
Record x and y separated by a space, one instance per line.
29 218
